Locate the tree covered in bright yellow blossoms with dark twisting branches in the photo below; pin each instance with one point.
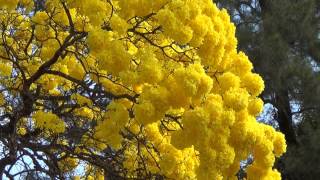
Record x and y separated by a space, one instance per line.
134 89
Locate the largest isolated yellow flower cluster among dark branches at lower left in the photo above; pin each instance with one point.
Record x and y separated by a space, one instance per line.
48 121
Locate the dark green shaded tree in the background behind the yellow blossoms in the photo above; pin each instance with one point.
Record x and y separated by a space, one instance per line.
282 39
